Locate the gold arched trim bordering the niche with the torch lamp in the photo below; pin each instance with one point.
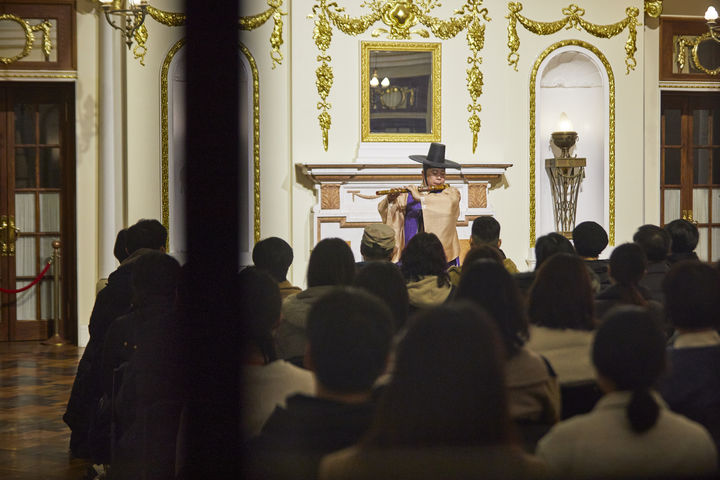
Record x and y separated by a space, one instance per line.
611 140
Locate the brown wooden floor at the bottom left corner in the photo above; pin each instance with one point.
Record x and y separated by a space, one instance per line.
35 383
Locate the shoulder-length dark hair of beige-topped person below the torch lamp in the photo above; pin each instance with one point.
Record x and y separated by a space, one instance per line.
561 295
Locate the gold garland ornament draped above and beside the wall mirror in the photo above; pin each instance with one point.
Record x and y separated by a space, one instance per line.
400 16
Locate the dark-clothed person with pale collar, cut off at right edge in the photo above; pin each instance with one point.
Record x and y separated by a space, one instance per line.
692 387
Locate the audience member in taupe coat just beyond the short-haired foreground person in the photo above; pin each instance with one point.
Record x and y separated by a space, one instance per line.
331 264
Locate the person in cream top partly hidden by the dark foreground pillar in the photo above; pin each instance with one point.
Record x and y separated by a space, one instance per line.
267 380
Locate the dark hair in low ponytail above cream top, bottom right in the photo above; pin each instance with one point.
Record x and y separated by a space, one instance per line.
629 350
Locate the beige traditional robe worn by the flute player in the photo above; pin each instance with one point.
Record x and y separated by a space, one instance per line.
440 214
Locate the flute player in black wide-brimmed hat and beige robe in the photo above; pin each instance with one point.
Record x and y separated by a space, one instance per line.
432 212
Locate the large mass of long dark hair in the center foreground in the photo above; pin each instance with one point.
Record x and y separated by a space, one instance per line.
448 385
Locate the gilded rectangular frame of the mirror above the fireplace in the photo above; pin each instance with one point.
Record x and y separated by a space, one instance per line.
434 97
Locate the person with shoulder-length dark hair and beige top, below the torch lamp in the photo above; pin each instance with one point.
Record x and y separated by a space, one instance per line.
561 314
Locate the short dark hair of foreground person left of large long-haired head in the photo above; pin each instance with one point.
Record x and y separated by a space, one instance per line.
349 337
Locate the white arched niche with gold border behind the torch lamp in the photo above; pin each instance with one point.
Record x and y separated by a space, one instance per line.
573 77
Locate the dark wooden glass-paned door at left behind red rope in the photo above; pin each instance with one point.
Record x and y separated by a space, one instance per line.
37 163
